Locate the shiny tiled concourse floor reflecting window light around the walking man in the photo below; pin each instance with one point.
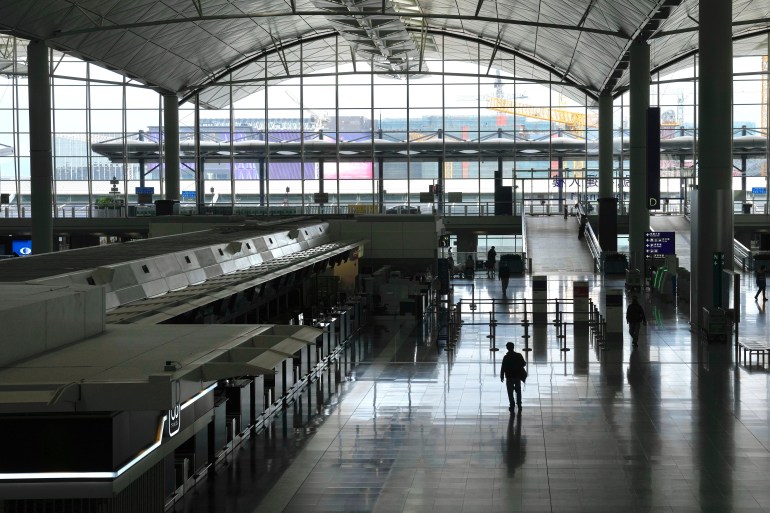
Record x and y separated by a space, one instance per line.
407 426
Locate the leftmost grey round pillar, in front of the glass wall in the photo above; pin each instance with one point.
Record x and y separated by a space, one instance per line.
41 163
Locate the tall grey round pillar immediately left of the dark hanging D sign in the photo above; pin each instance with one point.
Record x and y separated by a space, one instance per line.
639 216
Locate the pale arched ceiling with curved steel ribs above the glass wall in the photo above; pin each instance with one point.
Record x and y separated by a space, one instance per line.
185 46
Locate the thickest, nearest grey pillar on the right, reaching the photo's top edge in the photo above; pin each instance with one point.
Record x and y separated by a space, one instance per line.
712 215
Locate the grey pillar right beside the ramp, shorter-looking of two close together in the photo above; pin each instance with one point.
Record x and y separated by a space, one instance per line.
608 204
